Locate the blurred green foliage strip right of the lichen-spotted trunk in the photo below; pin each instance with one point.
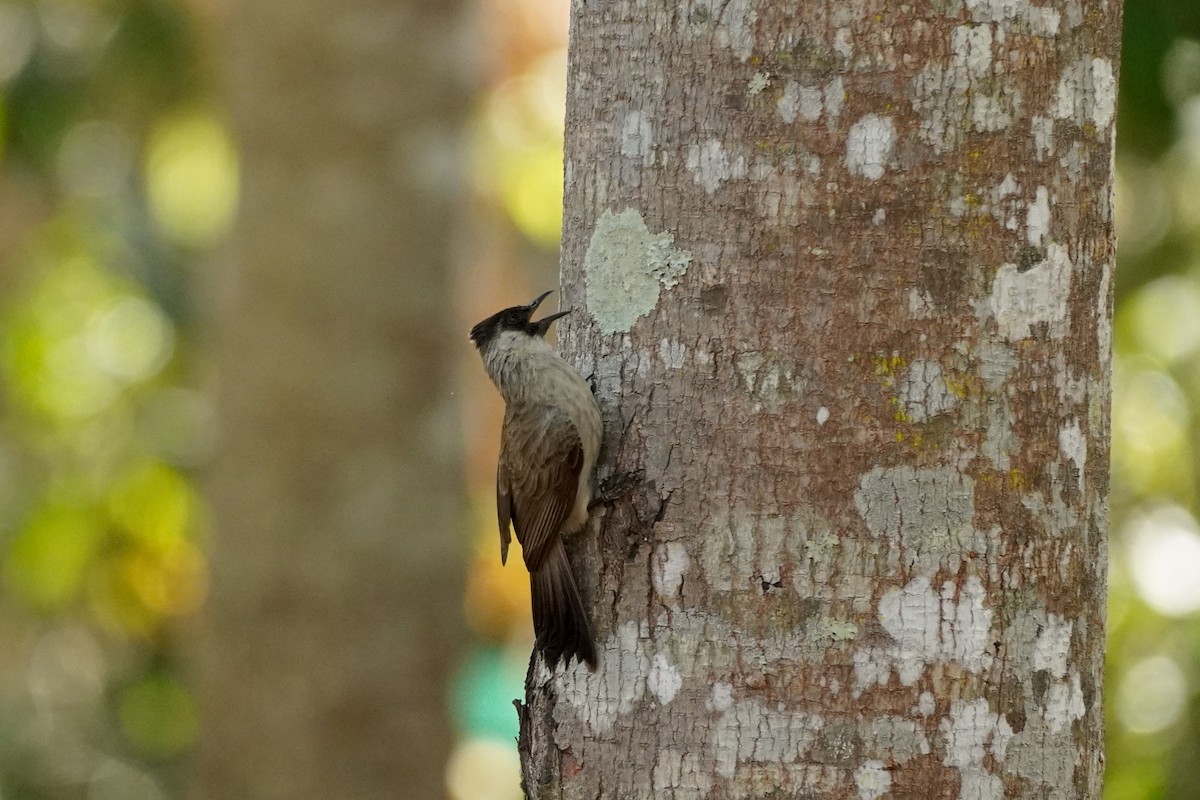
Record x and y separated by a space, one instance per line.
1155 584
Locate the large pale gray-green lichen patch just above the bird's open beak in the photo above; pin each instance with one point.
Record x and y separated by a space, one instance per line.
627 267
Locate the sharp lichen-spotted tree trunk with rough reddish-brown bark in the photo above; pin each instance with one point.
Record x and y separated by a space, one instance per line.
847 269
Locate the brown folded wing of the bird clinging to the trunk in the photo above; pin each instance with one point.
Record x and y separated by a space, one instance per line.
541 461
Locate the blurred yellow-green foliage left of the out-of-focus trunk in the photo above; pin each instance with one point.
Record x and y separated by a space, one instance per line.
116 175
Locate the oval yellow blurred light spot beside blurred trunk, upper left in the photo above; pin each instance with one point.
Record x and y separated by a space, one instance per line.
191 178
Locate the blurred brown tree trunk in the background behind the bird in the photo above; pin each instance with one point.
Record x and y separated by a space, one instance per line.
334 618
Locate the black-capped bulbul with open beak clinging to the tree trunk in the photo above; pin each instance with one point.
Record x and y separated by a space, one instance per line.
549 448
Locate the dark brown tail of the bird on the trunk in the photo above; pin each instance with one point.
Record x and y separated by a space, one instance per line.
560 619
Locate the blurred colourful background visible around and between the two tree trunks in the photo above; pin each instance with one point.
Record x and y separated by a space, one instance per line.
119 188
